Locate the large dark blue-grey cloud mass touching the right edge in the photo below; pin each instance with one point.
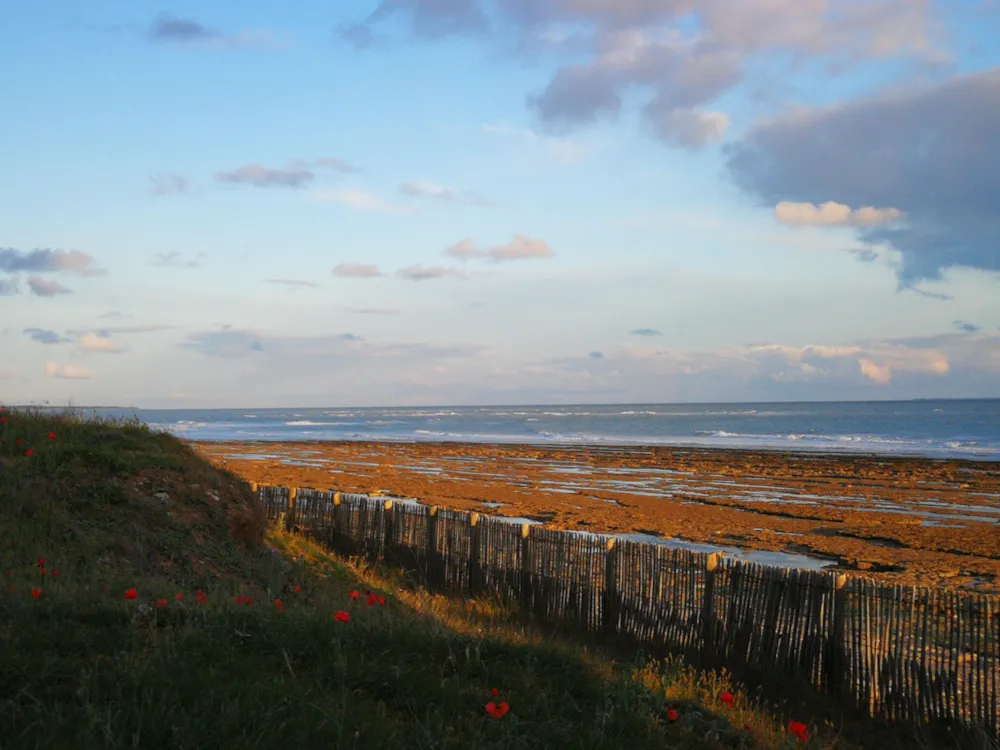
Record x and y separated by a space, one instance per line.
932 152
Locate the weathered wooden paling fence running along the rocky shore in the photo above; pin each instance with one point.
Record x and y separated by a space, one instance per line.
896 652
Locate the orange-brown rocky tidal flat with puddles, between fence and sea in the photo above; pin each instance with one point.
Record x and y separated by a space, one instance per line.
908 520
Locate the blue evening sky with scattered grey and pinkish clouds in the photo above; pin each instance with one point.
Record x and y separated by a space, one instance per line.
429 202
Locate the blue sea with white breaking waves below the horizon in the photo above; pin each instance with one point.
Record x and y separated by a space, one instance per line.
941 429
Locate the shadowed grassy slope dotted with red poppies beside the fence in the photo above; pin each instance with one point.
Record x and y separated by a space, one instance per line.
112 507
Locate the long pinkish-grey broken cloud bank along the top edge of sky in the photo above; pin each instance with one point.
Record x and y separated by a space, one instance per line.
685 56
